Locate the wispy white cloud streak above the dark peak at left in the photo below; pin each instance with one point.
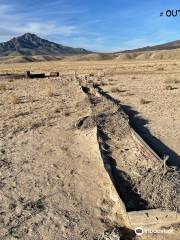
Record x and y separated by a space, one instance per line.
13 23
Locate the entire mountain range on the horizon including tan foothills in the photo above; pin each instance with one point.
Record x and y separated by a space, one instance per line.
29 48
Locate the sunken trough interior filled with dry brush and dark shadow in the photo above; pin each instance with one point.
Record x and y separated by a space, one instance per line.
141 181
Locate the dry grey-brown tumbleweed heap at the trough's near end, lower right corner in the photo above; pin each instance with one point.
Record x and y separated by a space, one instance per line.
161 188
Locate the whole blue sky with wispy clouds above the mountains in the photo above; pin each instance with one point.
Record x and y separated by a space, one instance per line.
101 25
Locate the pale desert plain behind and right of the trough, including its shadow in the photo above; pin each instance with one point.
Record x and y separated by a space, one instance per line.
156 82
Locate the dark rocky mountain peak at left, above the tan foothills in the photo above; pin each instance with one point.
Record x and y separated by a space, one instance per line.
32 45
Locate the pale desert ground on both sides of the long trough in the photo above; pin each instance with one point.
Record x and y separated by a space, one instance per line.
53 183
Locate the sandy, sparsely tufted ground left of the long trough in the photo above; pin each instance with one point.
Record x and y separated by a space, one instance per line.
52 184
